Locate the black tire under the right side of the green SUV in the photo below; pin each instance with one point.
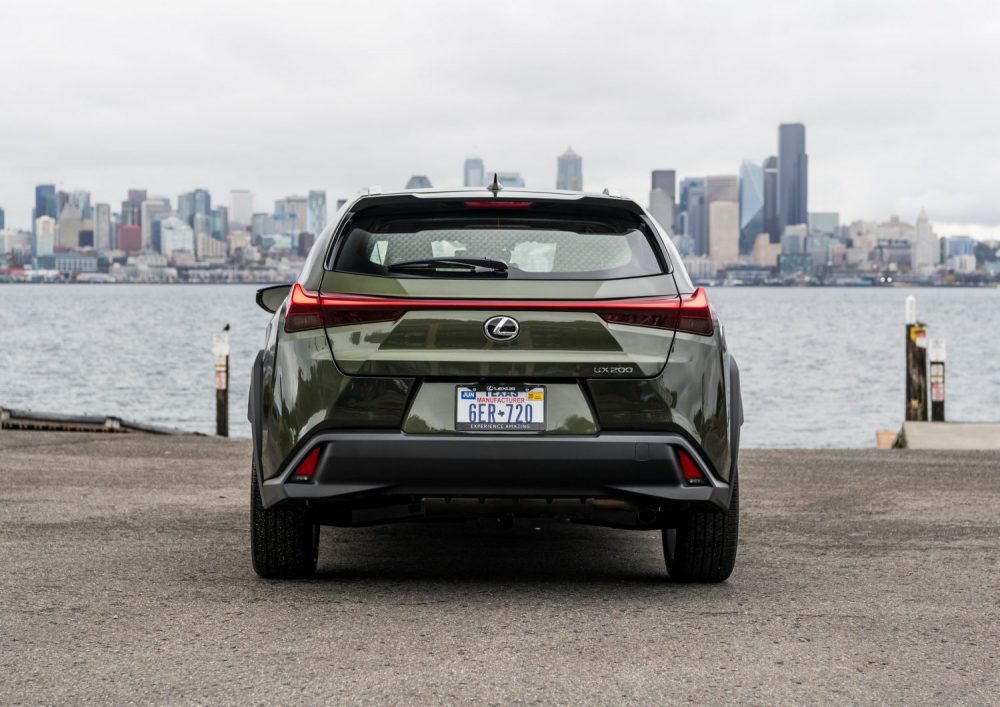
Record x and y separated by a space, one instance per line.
702 546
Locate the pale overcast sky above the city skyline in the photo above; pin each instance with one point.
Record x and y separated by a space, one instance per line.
900 99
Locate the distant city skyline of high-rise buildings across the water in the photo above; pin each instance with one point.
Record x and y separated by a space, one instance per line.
753 227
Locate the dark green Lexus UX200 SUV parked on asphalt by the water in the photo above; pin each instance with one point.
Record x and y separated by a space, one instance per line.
497 353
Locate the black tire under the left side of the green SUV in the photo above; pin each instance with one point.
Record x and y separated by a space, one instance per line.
284 542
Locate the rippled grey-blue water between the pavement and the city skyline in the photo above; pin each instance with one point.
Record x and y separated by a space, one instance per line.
821 367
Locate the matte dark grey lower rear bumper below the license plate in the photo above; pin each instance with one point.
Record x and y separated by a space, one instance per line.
626 466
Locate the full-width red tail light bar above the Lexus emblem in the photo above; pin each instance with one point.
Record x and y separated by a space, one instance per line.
311 310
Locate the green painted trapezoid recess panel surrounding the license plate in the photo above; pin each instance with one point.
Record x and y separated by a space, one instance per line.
566 410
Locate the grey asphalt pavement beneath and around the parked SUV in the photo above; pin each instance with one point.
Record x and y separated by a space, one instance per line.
862 577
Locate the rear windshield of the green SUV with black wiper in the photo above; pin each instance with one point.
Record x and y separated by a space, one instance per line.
512 246
